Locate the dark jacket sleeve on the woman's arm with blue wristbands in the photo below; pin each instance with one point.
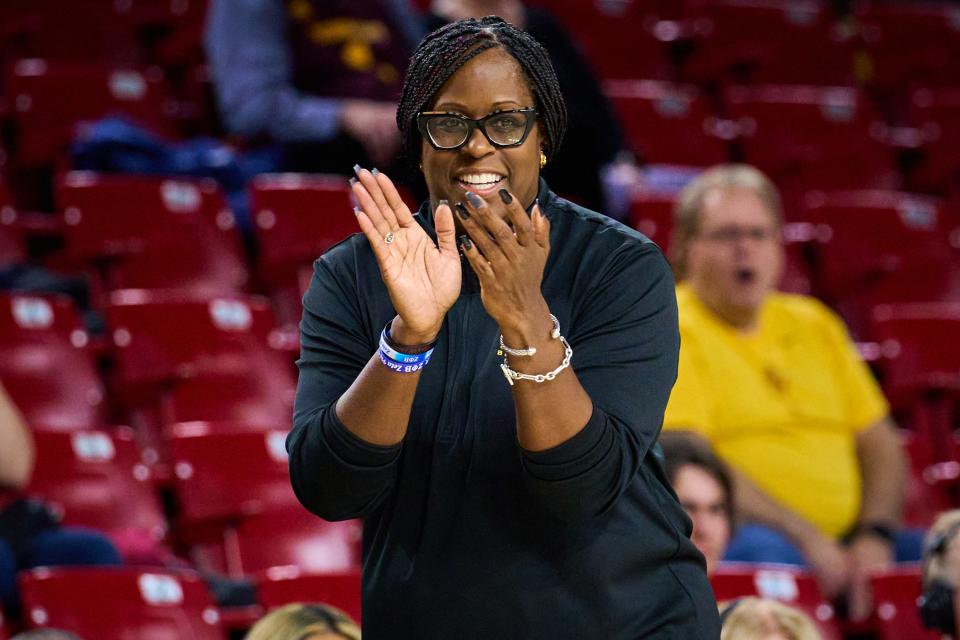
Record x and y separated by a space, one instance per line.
334 474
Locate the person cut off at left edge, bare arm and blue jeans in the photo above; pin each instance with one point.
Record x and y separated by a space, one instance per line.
29 535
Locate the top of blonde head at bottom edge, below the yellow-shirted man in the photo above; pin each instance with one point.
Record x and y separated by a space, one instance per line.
754 618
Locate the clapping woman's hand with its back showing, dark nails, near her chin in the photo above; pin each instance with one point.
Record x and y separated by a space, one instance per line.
508 262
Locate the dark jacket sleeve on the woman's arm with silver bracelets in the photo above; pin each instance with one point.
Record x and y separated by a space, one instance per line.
625 344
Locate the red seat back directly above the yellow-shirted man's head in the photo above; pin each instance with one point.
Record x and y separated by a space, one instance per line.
812 137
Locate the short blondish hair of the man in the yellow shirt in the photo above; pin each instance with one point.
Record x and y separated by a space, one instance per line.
686 213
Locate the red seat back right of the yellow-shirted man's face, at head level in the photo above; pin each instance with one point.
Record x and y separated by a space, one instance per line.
879 246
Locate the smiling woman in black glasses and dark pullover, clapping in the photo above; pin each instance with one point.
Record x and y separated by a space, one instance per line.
529 506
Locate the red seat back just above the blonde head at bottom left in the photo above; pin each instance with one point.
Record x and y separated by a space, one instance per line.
284 585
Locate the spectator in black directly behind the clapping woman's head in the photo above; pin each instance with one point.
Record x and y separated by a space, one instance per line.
593 156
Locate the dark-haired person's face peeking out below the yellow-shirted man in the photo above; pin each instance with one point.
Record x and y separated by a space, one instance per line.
703 486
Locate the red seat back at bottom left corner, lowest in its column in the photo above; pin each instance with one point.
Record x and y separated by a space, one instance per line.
121 603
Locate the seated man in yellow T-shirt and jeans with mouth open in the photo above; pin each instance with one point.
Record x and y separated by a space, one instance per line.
774 384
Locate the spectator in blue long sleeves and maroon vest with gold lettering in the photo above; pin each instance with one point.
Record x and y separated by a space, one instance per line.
322 78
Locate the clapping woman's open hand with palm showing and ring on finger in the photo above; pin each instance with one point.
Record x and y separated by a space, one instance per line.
422 278
